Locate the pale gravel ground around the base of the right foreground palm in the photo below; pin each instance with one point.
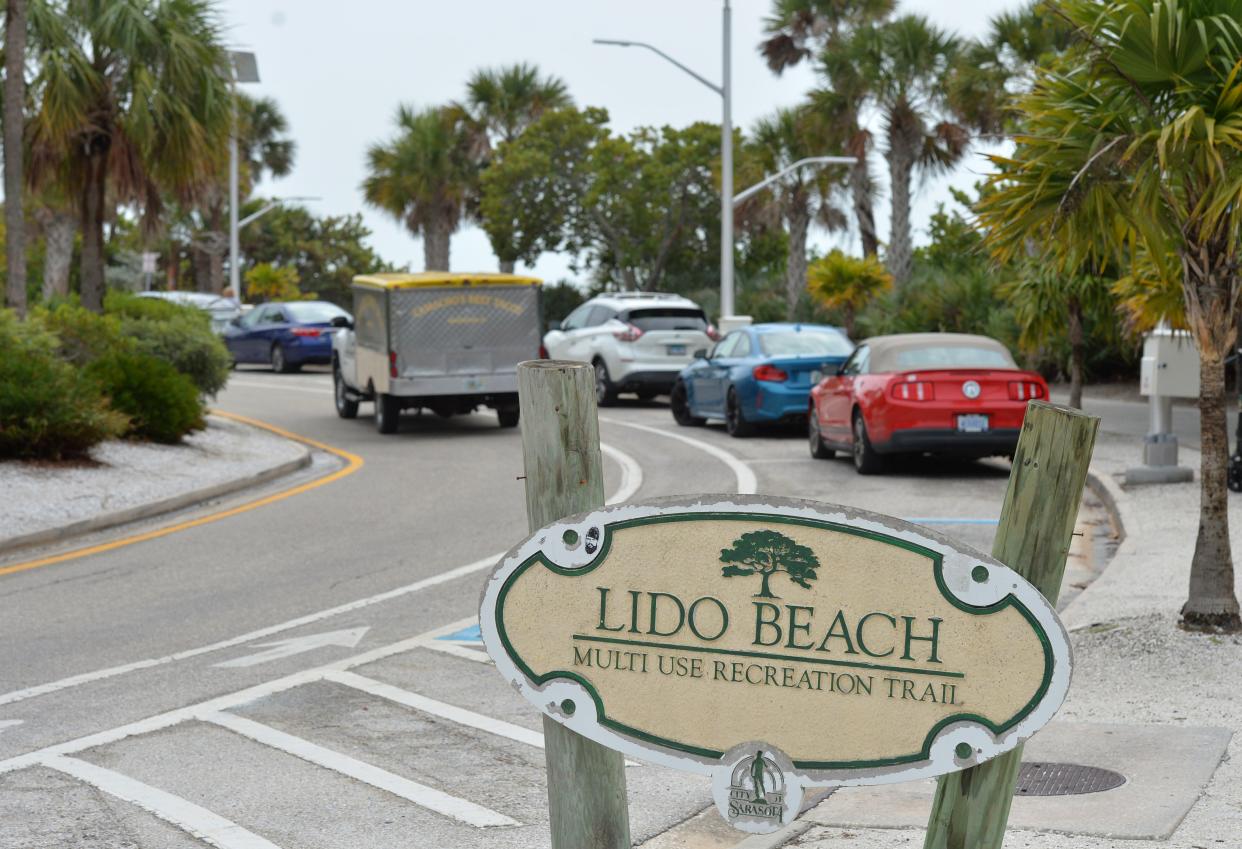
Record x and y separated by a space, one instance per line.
1133 666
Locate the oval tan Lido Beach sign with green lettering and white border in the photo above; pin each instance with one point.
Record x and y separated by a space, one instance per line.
776 645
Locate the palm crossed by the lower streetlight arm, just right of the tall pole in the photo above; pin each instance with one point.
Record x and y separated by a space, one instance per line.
778 142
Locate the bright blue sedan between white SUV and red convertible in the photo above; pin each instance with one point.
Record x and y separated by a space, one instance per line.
762 374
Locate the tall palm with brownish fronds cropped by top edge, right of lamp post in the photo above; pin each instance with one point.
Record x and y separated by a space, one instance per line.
800 29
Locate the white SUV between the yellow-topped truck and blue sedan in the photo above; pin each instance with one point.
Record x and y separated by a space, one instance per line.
639 342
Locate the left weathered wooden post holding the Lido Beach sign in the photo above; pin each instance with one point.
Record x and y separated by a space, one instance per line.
561 447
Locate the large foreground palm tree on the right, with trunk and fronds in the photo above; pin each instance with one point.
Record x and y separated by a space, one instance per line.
1137 137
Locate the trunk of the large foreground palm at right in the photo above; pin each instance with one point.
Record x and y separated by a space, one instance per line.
1213 604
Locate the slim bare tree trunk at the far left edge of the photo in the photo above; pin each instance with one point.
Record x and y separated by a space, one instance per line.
14 128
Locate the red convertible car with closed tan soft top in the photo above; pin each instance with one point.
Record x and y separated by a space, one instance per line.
922 393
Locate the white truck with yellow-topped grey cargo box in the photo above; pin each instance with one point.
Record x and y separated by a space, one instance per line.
438 341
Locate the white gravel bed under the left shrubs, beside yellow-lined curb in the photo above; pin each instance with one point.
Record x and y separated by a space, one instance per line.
129 475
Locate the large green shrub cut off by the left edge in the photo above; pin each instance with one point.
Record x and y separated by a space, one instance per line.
49 410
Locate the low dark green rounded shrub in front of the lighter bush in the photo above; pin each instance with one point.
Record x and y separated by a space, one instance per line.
163 405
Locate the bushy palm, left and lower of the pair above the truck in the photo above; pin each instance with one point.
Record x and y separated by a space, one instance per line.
424 178
